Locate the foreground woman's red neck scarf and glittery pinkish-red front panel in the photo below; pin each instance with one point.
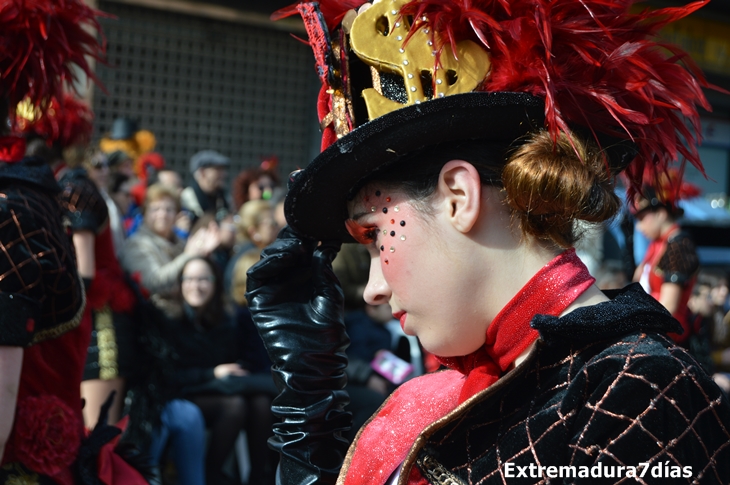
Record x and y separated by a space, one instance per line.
386 440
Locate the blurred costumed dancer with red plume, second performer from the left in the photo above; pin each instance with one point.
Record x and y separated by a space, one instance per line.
66 130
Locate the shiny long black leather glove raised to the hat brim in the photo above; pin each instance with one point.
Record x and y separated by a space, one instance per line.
297 305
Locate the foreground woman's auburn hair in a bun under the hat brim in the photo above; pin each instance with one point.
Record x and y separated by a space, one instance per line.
547 185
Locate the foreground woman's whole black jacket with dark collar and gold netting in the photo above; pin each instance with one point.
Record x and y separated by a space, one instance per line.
603 385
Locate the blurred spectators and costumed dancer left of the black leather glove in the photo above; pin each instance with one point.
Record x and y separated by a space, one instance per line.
164 265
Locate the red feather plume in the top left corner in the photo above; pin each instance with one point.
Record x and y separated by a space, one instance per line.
40 42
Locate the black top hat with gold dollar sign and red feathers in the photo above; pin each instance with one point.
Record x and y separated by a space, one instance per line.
400 76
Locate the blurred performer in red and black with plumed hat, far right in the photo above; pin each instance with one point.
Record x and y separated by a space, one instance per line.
669 268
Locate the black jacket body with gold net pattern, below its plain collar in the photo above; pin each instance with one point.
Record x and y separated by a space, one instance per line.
634 402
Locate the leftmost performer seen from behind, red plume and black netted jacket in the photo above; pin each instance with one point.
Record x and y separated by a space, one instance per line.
43 337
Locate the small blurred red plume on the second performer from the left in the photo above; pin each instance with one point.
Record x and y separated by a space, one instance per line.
68 123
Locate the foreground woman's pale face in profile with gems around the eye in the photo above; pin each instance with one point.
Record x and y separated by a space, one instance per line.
414 269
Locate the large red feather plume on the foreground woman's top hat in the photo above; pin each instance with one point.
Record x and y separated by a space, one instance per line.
596 65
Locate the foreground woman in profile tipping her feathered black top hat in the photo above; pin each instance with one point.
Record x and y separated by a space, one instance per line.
462 141
